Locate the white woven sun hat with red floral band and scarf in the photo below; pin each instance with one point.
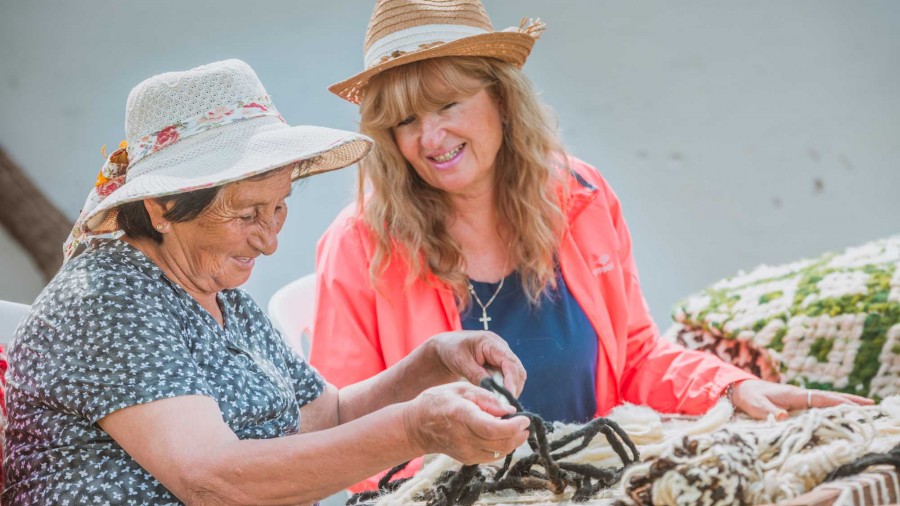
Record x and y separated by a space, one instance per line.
201 128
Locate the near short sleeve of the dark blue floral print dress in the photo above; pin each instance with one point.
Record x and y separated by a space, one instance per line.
111 341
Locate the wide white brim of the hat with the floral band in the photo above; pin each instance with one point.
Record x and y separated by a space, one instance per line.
228 154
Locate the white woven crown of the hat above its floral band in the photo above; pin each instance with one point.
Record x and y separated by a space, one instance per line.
167 99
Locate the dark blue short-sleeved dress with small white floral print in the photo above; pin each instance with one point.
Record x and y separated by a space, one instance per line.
111 331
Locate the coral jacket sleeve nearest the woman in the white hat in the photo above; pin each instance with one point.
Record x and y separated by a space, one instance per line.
346 343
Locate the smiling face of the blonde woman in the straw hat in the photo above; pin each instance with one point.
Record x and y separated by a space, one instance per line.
454 148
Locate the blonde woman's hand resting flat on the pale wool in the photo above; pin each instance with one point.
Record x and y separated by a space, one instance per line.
760 398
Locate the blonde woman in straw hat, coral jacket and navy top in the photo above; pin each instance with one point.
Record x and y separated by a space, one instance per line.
478 219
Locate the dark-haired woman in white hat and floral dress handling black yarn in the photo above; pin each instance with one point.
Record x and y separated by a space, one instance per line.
143 375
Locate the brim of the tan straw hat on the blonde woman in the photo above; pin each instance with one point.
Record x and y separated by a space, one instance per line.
513 47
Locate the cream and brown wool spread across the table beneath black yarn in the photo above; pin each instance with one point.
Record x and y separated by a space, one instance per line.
713 460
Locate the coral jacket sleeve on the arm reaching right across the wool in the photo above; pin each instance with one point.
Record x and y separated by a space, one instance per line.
657 372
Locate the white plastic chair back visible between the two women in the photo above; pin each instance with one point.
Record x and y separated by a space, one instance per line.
293 311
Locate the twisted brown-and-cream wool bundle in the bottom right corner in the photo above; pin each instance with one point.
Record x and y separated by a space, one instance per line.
748 462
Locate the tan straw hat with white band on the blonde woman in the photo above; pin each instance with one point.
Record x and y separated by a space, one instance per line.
405 31
